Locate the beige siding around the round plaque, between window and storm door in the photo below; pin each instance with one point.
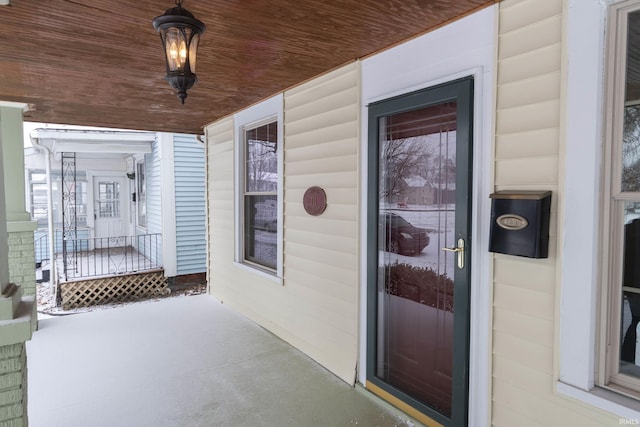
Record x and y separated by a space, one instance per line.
321 252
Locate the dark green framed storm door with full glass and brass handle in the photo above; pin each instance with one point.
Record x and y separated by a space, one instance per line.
419 239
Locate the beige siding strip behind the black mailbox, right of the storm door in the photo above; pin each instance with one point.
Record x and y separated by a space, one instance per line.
528 144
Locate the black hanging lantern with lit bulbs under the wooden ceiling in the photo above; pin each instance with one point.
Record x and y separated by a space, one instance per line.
180 34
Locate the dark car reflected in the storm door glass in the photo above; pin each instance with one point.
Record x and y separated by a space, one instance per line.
401 236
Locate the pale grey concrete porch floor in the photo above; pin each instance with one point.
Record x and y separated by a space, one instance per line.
185 361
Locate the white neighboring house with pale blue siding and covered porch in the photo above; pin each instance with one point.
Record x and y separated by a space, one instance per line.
113 190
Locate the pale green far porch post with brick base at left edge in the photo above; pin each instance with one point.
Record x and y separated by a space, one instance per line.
18 221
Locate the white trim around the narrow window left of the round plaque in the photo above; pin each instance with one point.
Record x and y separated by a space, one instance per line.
270 108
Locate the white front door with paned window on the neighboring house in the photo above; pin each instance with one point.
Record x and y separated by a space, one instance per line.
109 213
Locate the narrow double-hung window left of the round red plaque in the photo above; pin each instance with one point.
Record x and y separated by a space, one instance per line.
260 195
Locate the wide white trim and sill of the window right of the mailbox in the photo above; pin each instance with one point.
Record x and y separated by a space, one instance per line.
579 311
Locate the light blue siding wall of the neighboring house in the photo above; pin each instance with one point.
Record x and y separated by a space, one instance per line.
189 174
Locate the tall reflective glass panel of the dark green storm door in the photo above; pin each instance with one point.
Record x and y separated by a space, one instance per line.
417 204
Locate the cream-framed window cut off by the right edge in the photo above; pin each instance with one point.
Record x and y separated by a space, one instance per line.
620 352
